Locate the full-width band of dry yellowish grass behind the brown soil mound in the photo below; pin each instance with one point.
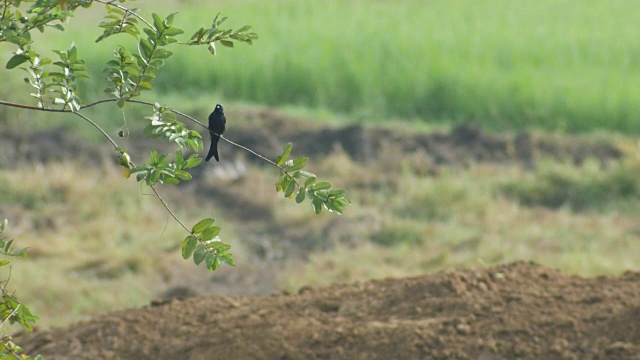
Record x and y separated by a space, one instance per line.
100 243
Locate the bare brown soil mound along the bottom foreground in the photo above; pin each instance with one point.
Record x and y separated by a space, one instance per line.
520 310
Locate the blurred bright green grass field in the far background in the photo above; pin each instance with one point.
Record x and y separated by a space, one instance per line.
557 65
